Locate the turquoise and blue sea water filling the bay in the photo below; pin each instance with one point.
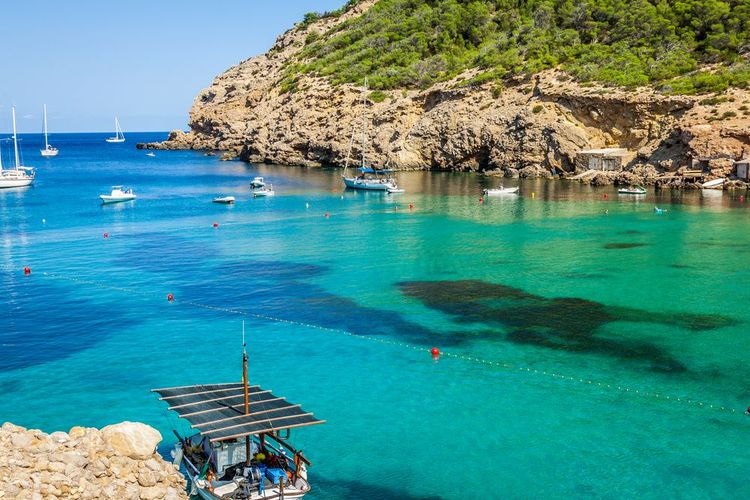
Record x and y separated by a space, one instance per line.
586 354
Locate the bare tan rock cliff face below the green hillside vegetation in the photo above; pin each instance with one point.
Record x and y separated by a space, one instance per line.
532 127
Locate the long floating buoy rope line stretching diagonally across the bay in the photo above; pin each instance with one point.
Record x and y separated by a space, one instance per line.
463 357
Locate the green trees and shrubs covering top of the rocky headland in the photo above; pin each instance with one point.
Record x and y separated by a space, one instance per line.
678 46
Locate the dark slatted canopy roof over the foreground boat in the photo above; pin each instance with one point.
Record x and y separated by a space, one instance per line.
218 410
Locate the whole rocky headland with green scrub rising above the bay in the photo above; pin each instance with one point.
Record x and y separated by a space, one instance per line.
448 95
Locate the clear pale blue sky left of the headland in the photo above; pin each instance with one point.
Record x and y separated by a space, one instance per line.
142 60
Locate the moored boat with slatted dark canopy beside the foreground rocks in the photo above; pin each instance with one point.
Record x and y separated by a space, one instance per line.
239 451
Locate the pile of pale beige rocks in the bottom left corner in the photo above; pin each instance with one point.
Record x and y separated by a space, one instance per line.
119 461
